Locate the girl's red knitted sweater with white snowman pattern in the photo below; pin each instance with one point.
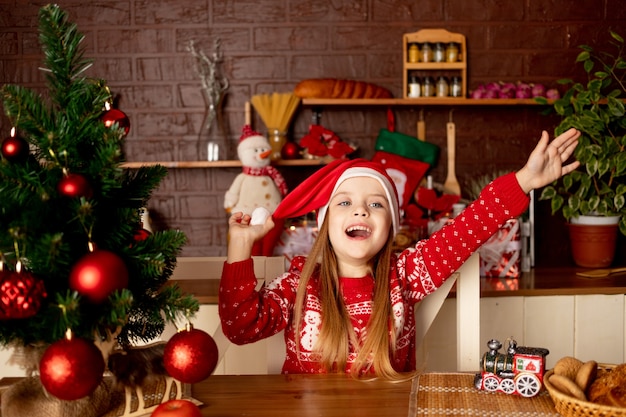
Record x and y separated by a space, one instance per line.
248 315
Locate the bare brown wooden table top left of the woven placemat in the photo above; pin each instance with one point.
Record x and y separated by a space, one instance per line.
301 395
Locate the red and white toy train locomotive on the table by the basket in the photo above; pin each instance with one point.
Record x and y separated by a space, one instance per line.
518 371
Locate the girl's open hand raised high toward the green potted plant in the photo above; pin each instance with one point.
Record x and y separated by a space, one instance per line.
545 163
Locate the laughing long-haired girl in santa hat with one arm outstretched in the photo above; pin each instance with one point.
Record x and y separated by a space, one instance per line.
349 306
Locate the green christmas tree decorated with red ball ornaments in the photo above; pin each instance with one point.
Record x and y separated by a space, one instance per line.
74 254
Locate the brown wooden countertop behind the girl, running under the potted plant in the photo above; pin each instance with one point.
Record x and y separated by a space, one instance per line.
541 281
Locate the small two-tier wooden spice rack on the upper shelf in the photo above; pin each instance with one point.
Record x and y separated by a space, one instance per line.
430 68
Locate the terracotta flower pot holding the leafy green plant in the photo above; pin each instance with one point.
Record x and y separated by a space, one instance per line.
593 246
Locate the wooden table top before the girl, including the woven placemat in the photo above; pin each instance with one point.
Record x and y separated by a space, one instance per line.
339 395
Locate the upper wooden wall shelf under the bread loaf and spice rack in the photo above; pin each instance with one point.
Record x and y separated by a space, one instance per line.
422 101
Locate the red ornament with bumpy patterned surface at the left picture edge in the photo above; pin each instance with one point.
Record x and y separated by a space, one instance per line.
21 295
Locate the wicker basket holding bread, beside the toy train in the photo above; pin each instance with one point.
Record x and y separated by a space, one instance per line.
573 407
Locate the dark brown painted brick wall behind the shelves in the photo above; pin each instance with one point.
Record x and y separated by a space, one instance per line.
140 49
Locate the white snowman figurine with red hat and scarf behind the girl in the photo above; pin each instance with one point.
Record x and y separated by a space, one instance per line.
258 189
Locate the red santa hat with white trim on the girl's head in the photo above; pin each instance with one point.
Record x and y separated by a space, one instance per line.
315 192
